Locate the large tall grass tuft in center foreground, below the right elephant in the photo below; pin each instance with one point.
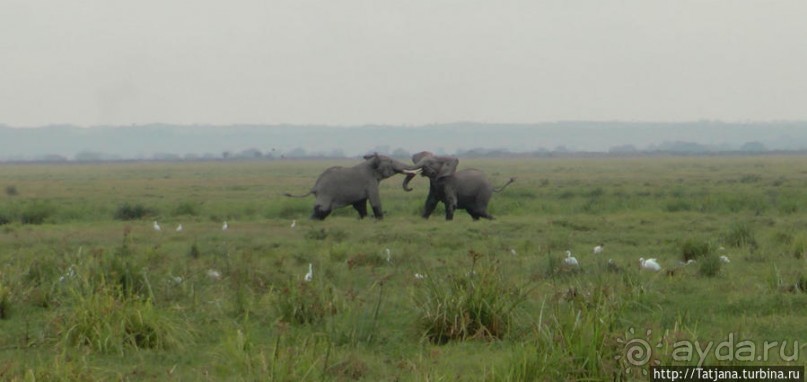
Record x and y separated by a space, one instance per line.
478 305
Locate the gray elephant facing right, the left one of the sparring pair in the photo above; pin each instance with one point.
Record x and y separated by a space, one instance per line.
341 186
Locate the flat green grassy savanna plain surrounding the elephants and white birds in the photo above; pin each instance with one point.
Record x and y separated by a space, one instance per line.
89 290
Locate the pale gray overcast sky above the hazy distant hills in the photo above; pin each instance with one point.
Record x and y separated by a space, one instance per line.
343 62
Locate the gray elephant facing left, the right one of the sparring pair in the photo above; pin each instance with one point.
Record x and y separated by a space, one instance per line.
466 189
